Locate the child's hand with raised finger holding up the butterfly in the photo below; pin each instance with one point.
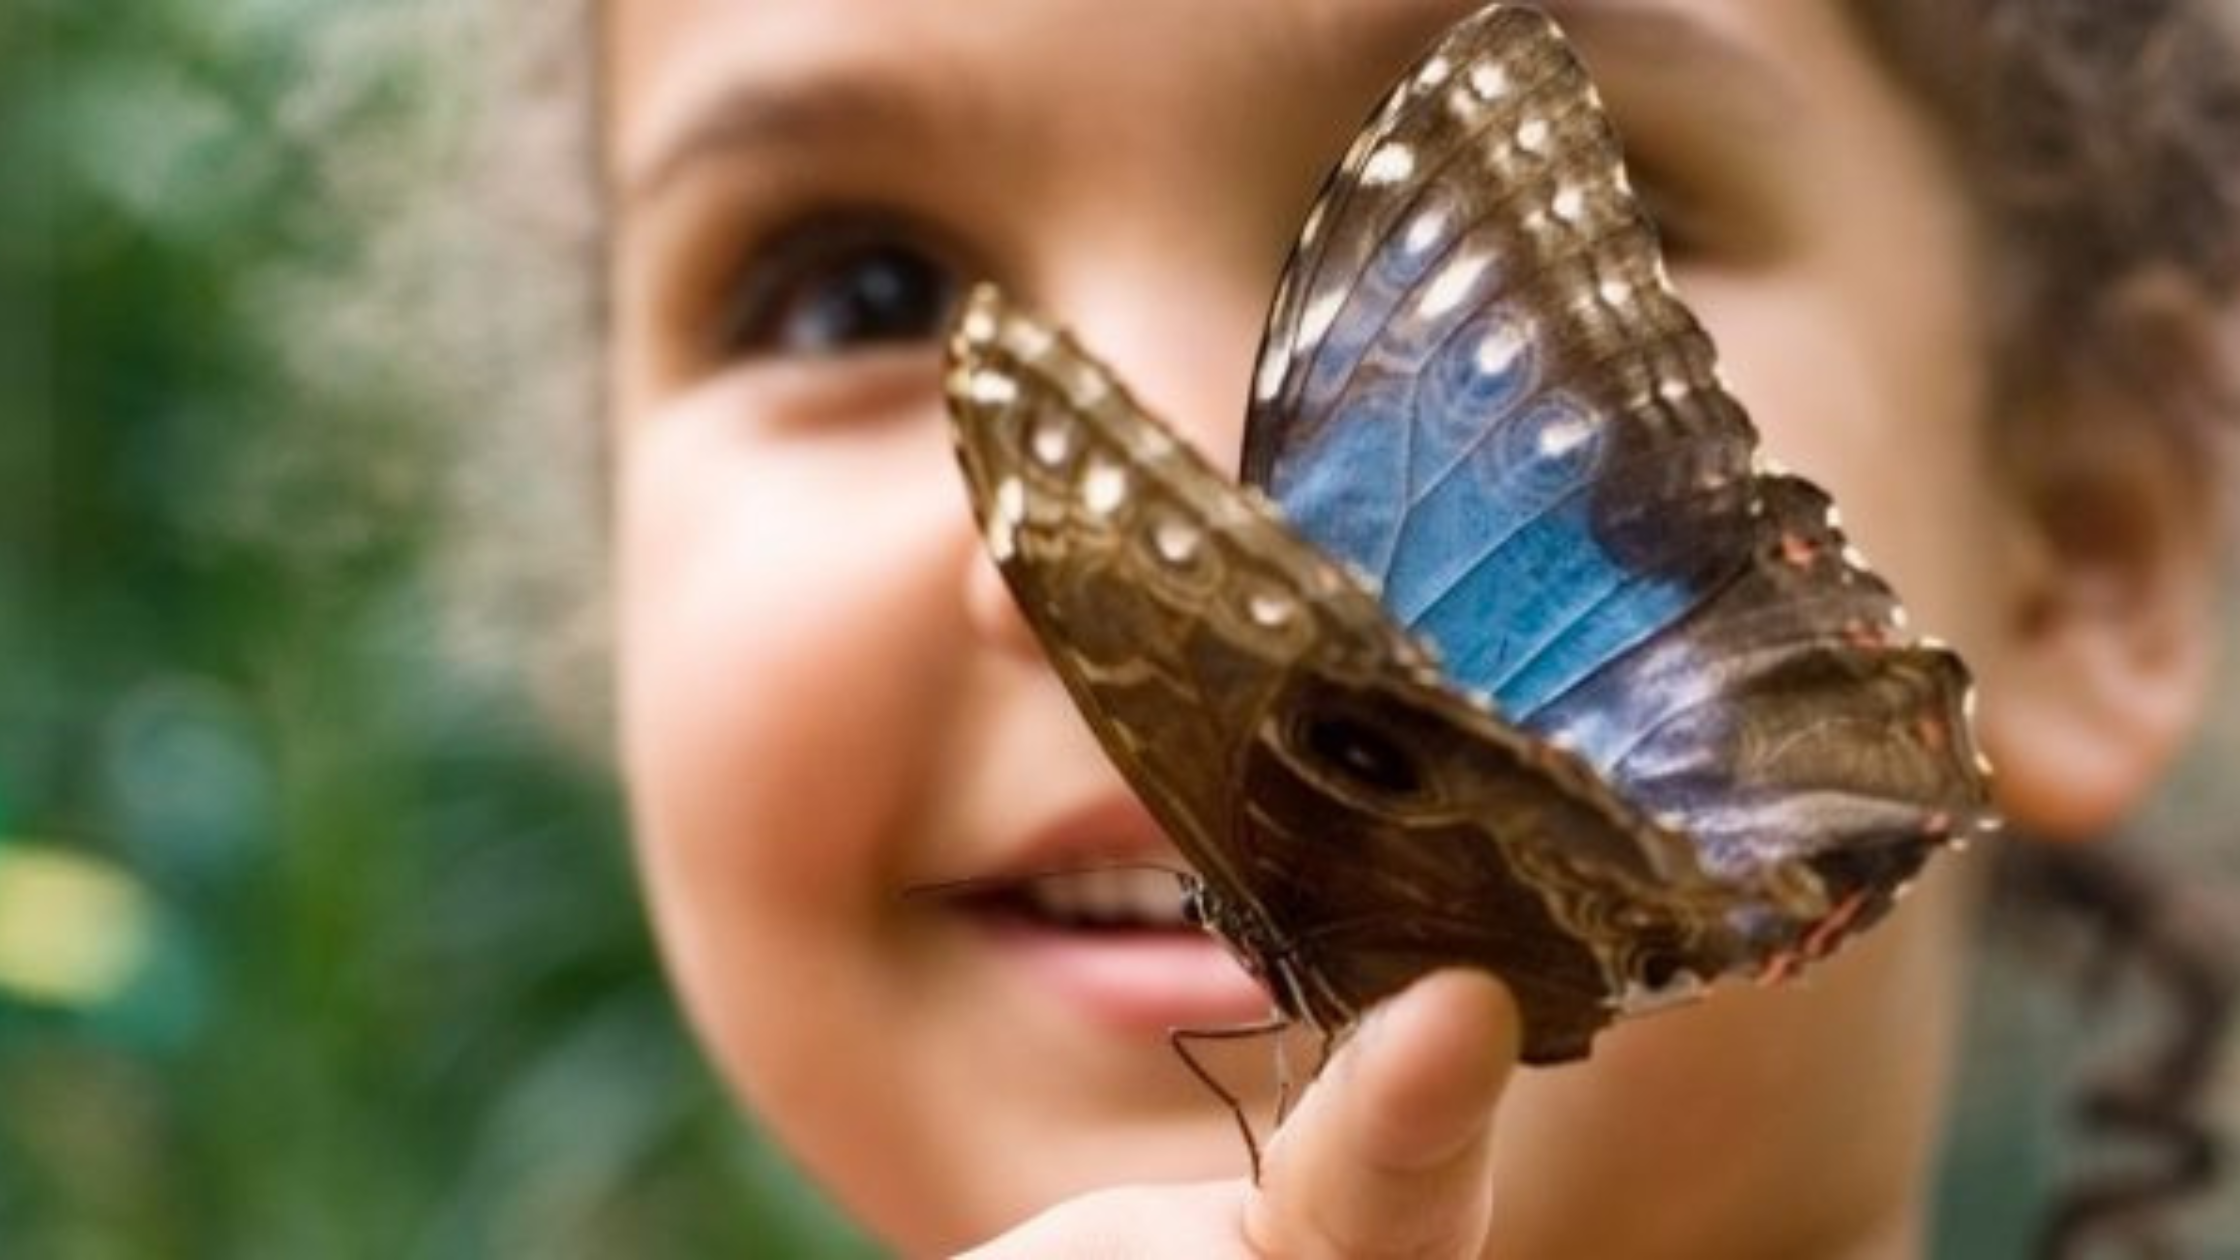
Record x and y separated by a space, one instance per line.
1388 1156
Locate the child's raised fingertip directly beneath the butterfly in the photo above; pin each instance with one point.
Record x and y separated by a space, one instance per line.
1392 1151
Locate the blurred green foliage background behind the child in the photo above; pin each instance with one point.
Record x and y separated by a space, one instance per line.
310 943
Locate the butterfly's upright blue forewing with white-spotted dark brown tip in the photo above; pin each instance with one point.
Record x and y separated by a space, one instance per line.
1477 371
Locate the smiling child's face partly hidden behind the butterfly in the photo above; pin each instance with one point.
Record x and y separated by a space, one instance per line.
828 698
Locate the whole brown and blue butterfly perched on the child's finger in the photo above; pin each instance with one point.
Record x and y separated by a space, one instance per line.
1511 649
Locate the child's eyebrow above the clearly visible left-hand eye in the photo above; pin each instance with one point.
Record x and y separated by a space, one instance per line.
790 115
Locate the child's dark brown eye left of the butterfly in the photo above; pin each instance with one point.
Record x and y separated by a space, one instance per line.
828 293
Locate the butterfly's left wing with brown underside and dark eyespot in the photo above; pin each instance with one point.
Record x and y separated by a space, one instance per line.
1354 819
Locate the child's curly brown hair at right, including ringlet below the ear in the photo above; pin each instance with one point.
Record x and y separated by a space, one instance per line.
2102 149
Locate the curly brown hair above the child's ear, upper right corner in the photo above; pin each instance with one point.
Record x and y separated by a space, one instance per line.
2102 149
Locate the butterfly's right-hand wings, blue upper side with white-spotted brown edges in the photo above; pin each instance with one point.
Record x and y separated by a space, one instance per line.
1480 387
